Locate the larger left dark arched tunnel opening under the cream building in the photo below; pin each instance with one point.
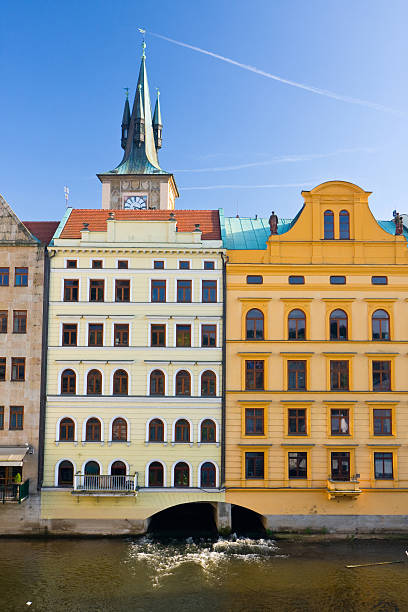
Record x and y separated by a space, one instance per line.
184 520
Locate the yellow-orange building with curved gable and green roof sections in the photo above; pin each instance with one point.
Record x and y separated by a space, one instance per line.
317 367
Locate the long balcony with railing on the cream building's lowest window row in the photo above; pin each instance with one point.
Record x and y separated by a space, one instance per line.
105 485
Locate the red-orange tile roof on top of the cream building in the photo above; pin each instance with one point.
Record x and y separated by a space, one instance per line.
186 219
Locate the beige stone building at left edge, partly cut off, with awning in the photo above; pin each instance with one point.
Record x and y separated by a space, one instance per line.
22 304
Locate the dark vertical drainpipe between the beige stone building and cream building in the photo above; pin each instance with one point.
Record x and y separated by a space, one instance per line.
43 388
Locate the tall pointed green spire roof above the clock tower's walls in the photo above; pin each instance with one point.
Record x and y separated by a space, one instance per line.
140 156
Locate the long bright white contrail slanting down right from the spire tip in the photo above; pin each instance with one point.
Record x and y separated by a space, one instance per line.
316 90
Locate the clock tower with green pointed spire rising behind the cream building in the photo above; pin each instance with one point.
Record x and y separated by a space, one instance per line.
138 182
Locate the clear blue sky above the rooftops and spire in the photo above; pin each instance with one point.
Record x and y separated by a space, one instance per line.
234 135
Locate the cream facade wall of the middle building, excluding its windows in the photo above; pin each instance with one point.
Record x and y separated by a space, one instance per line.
136 243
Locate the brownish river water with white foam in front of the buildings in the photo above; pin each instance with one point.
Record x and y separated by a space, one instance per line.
149 574
